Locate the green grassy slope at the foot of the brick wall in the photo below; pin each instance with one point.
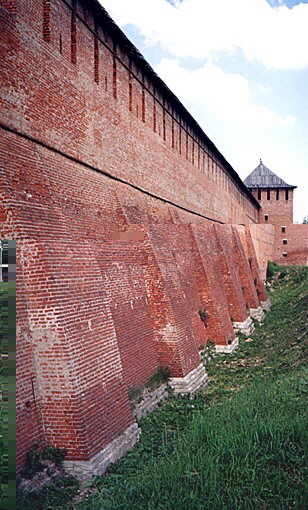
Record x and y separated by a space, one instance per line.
242 442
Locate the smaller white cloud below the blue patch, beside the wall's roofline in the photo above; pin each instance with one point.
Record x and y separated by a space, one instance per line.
210 89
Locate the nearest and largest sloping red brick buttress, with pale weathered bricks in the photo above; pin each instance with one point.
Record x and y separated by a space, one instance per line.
76 356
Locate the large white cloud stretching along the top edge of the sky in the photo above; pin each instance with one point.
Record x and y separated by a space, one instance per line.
276 37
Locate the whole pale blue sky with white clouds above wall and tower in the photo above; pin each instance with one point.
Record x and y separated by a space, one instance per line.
241 68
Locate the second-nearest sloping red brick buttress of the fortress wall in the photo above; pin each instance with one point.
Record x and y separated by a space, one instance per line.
176 304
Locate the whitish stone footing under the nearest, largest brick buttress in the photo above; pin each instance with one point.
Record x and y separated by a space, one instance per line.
85 469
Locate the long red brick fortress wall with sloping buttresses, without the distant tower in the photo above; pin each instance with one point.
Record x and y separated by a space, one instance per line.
112 278
